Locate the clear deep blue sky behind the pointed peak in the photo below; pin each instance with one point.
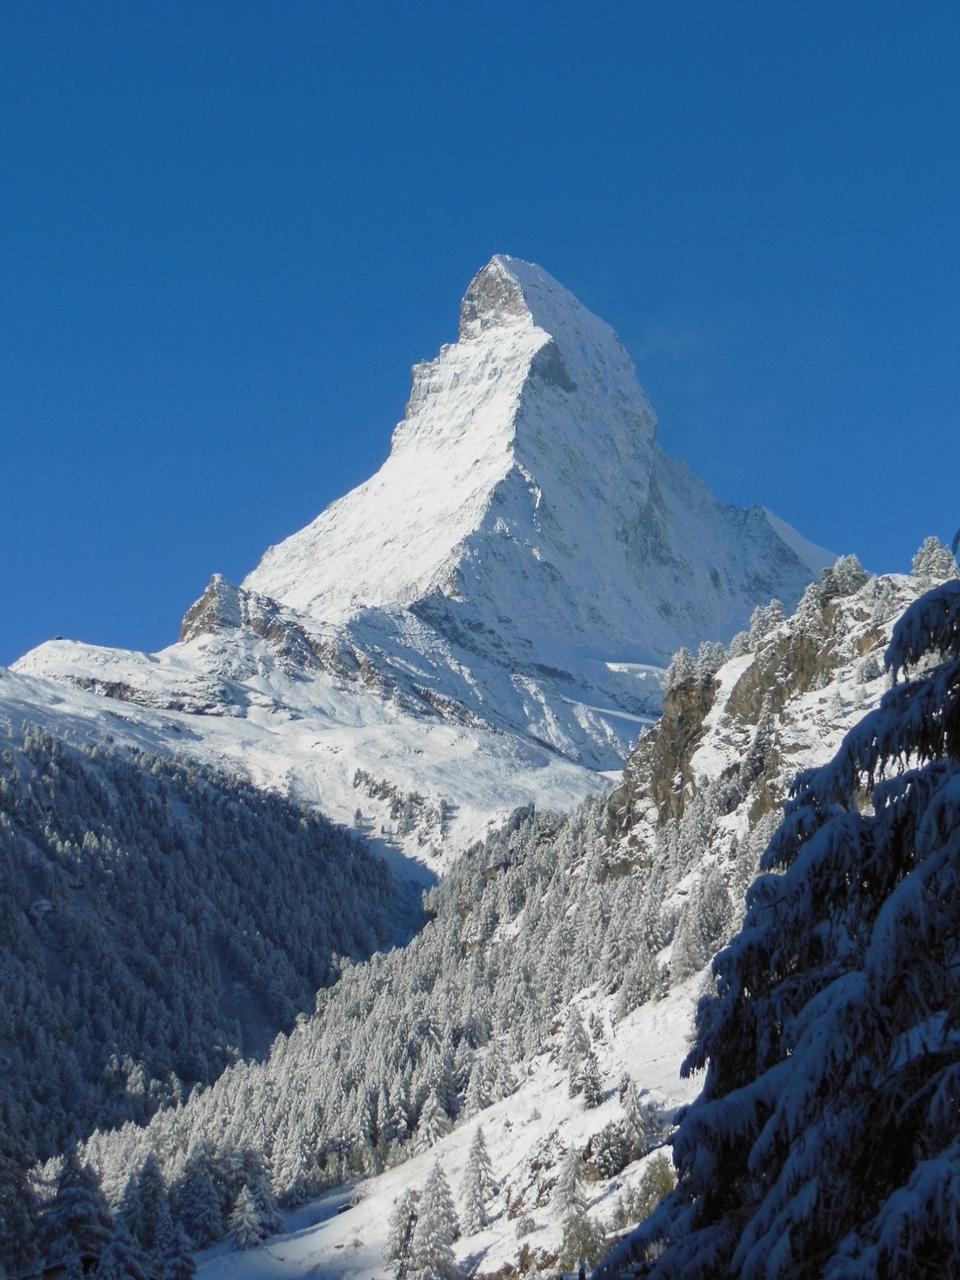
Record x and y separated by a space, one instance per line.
227 231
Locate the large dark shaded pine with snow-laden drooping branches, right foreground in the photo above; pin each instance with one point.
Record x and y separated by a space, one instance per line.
825 1141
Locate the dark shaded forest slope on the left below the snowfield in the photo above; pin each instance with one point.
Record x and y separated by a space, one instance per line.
159 921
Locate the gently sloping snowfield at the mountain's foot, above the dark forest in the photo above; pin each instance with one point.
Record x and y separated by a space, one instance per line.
310 742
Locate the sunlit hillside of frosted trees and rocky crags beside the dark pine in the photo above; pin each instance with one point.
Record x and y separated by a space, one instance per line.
614 912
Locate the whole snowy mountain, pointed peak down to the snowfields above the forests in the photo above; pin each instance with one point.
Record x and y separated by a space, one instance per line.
482 624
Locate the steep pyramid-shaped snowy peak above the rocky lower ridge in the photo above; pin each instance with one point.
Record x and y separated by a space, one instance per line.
525 496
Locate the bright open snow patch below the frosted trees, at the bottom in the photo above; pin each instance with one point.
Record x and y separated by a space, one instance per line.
327 1238
